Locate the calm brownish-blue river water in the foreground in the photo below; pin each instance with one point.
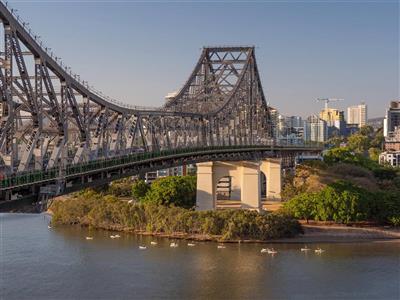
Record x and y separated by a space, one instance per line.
59 263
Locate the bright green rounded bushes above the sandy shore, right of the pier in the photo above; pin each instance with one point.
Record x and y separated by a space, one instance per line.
344 202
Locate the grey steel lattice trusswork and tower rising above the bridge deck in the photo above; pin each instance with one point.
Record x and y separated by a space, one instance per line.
49 118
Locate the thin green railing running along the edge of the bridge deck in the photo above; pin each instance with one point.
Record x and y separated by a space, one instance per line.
32 177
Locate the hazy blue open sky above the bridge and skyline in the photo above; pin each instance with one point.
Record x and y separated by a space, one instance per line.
140 51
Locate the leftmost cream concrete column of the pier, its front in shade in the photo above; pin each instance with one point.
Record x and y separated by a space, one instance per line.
205 194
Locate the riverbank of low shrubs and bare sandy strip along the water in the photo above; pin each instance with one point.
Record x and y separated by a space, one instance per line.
229 226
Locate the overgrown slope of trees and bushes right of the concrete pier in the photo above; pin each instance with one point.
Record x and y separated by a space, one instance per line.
348 186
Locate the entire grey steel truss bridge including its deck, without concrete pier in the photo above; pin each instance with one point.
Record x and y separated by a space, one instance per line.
58 134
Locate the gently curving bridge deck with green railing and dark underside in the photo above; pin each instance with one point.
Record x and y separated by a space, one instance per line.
59 181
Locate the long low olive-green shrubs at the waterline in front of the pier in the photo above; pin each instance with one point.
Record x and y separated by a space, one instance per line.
94 209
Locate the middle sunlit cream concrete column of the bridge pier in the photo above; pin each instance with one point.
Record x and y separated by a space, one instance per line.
250 186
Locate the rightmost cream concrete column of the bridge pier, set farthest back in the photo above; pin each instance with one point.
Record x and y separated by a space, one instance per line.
272 168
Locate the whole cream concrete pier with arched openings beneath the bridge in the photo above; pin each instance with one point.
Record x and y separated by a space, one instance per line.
242 181
